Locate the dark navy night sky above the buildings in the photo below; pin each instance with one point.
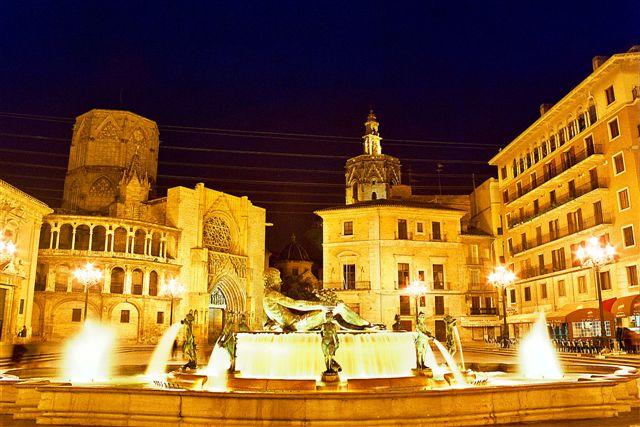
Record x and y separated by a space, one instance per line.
449 82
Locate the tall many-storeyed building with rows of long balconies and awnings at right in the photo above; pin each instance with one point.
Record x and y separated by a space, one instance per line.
575 173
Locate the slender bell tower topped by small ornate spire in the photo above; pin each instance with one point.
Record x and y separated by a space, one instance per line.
371 175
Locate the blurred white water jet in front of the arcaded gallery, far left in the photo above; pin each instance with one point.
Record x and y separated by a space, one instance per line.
87 357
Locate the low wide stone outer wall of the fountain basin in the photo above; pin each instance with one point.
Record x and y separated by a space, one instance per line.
607 391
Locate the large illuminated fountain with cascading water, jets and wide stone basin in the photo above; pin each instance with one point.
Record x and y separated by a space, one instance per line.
278 380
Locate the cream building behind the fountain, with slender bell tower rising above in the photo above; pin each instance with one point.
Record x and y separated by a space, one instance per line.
384 238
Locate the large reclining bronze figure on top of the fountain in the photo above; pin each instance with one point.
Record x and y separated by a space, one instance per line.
290 315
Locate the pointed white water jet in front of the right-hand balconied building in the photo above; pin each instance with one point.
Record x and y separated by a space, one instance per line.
537 356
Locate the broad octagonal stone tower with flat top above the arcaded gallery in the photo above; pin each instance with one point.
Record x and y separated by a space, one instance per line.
113 164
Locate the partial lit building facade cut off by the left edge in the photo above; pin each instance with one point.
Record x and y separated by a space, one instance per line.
20 219
